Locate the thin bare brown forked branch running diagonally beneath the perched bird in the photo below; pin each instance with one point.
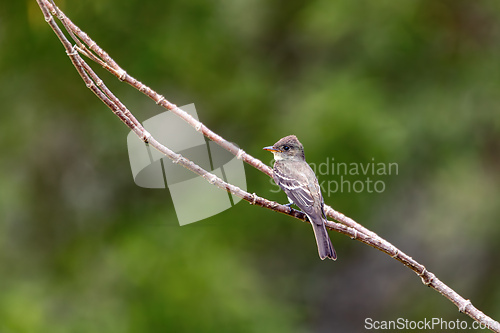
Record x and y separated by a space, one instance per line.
347 226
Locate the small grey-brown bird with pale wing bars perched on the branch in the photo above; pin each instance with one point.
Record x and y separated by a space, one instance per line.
296 178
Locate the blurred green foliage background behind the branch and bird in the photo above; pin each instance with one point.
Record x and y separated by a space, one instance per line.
417 83
